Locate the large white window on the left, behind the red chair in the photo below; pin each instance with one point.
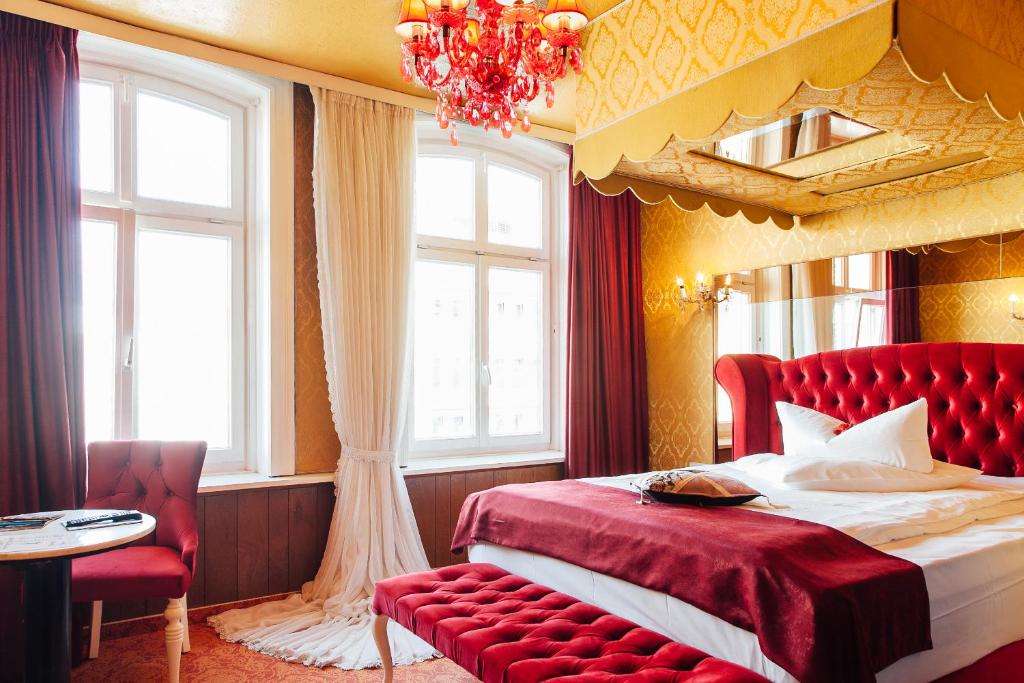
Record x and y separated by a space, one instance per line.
177 188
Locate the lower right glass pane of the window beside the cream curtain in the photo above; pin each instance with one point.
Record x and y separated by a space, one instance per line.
517 352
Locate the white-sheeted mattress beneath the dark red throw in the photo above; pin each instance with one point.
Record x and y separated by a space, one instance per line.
974 573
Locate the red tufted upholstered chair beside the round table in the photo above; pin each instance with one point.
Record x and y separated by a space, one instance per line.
160 479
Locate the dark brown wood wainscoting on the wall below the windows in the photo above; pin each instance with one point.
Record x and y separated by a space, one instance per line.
269 541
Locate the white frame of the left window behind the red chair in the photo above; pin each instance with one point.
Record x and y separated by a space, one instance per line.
260 222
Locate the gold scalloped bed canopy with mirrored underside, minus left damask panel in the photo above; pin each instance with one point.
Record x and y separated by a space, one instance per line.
934 110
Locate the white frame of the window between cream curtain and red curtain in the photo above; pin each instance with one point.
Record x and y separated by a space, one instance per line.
551 164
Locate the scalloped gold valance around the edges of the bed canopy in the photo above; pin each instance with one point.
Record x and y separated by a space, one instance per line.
975 50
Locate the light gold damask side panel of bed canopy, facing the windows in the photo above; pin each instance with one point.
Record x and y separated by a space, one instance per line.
648 50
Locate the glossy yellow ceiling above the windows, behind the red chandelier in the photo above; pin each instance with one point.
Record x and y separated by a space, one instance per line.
354 39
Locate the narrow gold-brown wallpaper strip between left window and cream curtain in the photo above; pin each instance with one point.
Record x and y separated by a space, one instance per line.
317 446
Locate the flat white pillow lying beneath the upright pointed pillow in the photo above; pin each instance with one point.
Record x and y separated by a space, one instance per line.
810 474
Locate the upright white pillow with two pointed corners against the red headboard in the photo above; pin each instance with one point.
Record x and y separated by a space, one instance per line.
897 439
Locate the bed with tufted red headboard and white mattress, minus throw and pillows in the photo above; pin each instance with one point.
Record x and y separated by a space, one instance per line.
974 572
